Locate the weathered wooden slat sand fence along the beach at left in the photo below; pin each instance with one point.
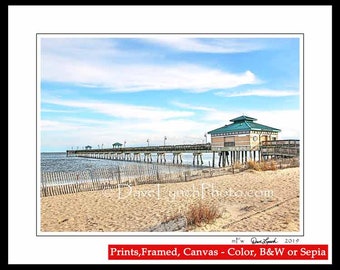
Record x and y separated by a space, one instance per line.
58 183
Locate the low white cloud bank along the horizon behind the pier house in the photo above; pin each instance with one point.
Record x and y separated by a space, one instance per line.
72 132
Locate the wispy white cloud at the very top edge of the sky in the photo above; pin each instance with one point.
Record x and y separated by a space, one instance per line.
209 45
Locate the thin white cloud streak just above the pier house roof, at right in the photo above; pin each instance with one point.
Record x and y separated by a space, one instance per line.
260 92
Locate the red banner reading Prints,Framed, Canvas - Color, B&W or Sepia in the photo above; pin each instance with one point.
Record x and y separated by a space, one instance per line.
218 252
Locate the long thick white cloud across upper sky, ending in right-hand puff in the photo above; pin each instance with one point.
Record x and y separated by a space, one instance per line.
134 78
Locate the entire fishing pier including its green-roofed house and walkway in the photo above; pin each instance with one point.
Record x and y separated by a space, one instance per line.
238 142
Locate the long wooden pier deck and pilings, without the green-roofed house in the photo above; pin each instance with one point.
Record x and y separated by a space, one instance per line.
227 155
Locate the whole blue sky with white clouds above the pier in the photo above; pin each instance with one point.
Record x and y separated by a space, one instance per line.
98 90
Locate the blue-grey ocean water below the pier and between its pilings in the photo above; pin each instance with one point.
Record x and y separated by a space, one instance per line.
59 162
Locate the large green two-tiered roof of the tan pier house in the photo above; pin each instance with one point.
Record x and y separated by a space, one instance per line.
243 123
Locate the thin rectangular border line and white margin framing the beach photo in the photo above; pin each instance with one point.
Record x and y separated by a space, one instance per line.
175 235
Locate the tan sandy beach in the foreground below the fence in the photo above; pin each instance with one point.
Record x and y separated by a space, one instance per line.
249 201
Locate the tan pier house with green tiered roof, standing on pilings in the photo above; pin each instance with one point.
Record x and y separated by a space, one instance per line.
241 140
